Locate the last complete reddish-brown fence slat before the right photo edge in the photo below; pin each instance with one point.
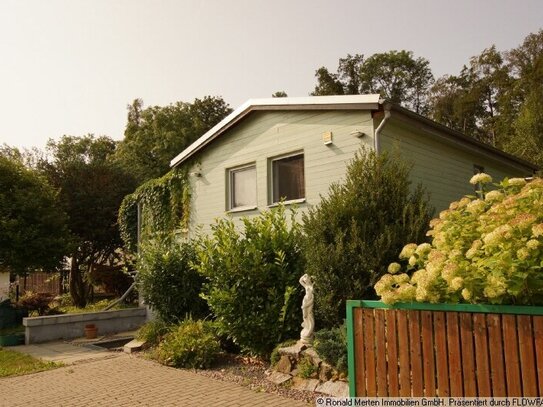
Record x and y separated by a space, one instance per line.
527 356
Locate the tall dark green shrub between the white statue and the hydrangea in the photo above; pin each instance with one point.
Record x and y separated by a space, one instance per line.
358 229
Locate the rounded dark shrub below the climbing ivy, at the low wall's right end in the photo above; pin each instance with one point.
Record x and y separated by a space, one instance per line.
169 283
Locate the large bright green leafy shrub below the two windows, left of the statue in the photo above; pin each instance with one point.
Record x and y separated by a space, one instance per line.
252 279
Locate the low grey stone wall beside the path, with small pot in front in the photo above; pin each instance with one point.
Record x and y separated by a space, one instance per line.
69 326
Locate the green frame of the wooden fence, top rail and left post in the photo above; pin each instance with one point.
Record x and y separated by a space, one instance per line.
472 308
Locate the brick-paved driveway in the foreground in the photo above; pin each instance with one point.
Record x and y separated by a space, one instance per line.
127 380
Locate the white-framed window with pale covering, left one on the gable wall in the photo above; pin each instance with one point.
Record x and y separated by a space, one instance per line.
242 187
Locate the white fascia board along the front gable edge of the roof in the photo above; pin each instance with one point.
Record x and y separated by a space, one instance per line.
295 103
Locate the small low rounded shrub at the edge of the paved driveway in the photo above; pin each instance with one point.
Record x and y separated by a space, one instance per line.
191 345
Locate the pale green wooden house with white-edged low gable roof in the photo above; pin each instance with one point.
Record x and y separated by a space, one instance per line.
294 148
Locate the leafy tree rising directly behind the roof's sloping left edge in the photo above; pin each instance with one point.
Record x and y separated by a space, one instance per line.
155 135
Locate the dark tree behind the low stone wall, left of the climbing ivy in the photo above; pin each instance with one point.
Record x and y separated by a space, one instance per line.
91 188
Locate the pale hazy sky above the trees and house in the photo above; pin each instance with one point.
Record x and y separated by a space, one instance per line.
72 66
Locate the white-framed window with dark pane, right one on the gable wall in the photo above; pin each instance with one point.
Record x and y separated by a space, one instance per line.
287 178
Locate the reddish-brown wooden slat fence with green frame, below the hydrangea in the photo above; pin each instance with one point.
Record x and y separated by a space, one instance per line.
427 350
